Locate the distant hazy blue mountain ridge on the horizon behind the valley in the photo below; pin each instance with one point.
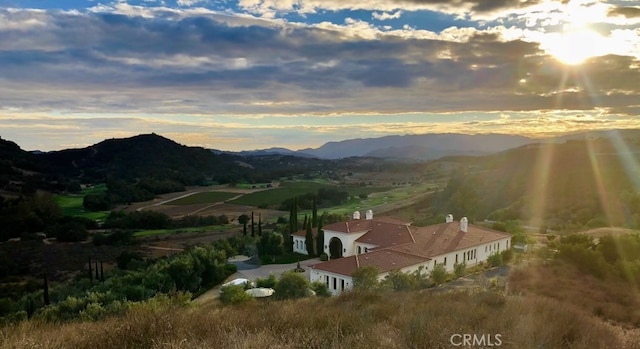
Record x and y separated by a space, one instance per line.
419 147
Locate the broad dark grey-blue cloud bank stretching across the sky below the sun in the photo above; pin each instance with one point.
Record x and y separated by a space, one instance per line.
126 63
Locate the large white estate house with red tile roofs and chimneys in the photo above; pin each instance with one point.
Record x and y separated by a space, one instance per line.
391 244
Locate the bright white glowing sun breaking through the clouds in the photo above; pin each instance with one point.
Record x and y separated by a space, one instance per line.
574 46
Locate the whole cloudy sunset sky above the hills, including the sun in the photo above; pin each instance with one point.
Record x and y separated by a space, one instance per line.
255 74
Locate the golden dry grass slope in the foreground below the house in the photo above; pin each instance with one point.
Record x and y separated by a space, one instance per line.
384 320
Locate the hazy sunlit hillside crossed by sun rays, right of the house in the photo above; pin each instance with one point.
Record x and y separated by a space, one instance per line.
577 183
